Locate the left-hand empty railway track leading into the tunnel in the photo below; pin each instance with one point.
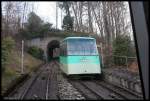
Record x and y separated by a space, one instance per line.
39 86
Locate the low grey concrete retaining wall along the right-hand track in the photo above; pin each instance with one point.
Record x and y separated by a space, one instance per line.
132 84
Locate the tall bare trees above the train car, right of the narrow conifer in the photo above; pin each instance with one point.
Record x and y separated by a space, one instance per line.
108 17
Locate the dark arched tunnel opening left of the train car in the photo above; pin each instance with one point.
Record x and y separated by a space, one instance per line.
53 50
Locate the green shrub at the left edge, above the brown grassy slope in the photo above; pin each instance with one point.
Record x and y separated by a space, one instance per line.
7 45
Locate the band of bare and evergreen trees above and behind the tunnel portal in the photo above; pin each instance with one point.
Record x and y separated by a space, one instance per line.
109 21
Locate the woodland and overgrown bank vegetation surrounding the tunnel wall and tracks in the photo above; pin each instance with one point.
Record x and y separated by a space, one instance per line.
109 22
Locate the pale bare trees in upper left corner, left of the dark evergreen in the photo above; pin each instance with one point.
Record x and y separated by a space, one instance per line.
14 14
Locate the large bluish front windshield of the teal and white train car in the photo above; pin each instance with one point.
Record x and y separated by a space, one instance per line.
82 47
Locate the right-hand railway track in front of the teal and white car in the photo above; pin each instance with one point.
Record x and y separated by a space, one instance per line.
92 89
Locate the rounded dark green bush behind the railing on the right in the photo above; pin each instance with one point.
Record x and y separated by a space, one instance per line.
122 46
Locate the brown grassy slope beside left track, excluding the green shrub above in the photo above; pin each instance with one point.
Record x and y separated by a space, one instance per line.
13 68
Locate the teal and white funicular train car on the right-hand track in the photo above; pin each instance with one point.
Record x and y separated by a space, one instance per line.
79 55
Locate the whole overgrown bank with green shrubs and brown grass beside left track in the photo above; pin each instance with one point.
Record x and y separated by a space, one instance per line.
11 62
